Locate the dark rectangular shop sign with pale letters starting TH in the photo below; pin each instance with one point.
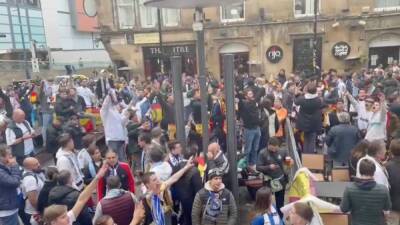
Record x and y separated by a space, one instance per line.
168 51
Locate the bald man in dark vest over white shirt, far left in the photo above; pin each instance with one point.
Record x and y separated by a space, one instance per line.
19 136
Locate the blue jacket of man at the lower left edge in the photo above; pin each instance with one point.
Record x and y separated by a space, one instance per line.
10 179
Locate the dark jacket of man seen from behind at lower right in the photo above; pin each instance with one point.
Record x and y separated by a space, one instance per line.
366 201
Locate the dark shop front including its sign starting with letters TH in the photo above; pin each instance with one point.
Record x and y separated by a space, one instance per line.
157 62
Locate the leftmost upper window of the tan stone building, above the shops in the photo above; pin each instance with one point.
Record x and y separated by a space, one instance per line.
126 13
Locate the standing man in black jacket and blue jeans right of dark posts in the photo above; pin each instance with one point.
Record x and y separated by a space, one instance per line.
249 112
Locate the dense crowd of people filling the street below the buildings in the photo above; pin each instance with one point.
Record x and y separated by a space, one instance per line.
144 176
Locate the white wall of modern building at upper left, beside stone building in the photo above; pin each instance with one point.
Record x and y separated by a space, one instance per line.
60 34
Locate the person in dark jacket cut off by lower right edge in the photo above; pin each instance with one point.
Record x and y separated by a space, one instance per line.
393 168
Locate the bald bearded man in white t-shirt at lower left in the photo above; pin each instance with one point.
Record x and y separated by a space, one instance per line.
32 184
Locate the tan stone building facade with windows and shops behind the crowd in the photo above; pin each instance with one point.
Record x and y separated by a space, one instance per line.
264 35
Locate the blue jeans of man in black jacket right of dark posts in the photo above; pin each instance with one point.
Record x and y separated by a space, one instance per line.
251 143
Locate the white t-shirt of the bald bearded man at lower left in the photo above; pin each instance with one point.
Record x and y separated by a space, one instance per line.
29 183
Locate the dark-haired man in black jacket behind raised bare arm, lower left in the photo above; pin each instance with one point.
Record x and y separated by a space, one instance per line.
65 194
